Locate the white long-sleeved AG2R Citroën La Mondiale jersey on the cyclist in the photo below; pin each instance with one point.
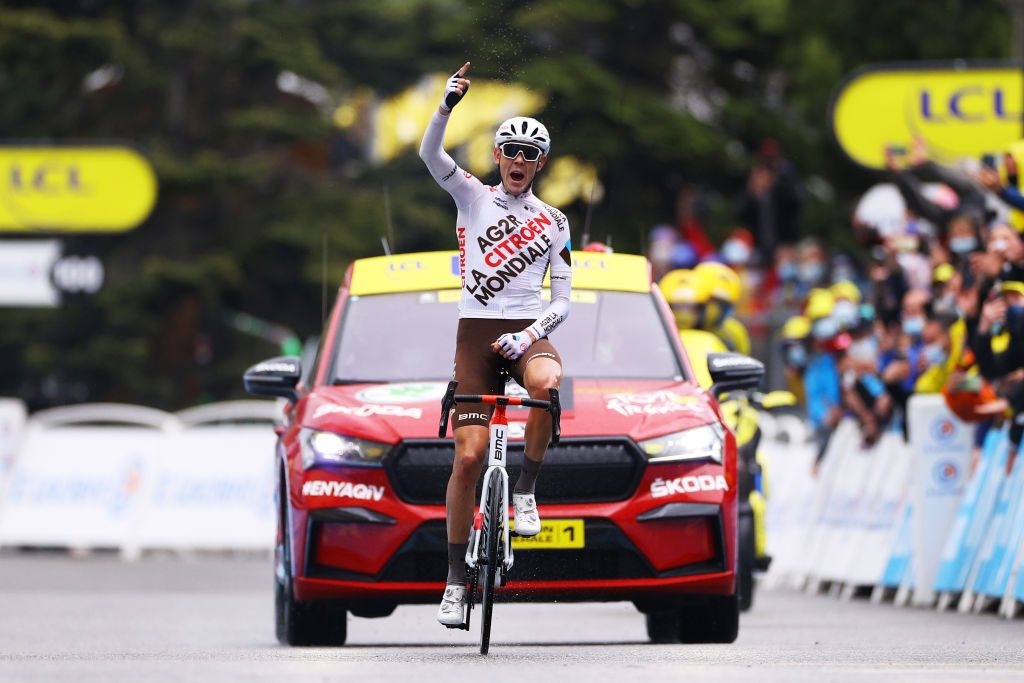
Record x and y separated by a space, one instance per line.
506 244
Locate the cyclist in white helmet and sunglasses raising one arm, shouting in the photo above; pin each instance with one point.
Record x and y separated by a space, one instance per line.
508 239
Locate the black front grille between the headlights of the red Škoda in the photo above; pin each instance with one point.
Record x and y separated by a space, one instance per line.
578 471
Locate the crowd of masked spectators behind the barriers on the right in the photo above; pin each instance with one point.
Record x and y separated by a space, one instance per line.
932 304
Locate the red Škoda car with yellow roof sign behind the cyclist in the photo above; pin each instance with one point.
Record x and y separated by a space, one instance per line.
638 499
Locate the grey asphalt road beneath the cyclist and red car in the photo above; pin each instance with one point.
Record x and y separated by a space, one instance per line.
211 620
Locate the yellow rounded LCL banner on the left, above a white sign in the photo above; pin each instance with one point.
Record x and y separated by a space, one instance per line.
74 190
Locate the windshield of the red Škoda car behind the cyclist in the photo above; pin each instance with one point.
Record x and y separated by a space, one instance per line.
411 336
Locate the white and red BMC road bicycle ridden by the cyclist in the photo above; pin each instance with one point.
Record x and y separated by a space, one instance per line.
489 558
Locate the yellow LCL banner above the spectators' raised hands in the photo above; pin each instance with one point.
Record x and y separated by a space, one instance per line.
960 112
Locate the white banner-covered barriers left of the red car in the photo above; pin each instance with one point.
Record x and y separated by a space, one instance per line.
134 480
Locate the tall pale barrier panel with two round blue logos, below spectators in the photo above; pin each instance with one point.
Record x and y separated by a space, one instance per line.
942 451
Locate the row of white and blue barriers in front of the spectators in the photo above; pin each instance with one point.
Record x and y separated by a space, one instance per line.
908 522
